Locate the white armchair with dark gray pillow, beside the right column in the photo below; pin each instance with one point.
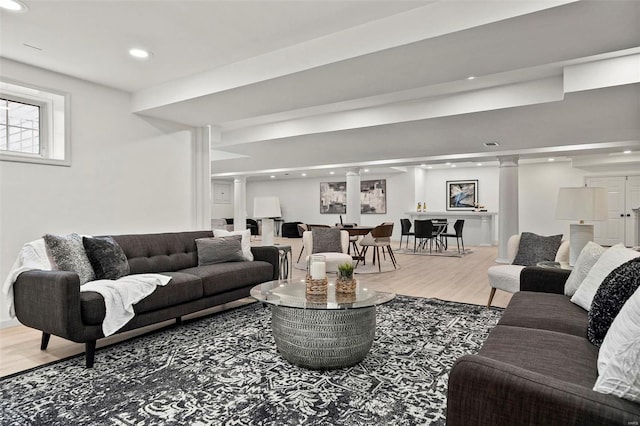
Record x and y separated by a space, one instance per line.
507 277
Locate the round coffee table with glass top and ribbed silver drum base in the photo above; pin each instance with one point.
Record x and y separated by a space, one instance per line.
321 332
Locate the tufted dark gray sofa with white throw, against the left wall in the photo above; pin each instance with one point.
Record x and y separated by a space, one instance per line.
51 301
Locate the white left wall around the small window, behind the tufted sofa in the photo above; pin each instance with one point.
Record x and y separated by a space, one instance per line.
127 175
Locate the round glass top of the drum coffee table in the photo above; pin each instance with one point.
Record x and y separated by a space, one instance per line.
293 294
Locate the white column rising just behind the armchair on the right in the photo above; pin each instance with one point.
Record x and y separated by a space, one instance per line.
508 212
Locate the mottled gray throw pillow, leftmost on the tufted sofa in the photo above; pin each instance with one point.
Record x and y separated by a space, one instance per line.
67 253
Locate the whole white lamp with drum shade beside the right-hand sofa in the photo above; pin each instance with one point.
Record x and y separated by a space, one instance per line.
582 203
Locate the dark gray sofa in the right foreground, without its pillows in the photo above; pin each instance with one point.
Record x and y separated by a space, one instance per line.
537 366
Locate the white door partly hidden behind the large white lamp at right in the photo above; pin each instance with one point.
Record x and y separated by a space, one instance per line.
613 230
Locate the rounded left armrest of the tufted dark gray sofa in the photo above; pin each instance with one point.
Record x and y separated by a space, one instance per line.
50 301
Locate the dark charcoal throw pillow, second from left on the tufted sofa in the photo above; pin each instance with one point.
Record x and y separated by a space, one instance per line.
107 258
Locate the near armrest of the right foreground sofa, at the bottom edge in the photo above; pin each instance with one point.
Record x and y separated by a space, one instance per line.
483 391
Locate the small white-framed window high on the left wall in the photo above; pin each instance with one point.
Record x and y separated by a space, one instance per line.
33 125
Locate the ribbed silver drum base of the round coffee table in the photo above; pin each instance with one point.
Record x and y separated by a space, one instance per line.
323 339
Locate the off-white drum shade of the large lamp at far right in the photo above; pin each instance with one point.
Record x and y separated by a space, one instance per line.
582 203
